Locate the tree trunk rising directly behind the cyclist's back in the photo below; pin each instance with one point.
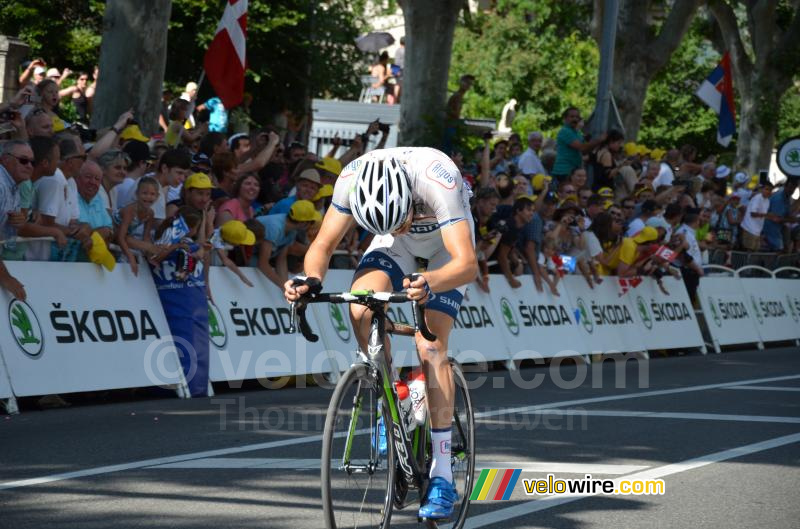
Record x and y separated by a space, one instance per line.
429 43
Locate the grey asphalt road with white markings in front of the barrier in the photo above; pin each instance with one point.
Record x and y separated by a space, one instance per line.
722 431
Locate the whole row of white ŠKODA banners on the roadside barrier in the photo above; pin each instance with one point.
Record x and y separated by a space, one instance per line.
85 329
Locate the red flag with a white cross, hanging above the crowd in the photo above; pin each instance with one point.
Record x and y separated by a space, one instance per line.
225 58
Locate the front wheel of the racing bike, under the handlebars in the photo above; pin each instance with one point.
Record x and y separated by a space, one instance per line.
357 481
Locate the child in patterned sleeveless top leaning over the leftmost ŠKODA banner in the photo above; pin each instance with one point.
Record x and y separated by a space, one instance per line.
134 223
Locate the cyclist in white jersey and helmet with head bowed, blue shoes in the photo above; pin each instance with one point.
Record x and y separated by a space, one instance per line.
414 200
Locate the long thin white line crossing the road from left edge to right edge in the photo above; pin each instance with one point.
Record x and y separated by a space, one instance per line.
316 438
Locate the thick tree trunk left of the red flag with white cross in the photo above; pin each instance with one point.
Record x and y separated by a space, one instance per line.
133 55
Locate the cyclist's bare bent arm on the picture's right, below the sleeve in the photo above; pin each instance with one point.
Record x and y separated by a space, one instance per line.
463 265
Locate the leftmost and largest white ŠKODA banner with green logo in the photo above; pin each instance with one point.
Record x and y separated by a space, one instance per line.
85 329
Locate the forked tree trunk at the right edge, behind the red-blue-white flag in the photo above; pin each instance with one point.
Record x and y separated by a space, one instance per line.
762 80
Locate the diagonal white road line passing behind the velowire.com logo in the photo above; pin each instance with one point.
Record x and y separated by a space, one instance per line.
548 502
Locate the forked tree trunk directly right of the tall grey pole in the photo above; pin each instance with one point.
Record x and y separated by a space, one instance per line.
640 53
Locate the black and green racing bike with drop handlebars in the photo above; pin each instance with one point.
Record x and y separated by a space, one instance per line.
361 483
